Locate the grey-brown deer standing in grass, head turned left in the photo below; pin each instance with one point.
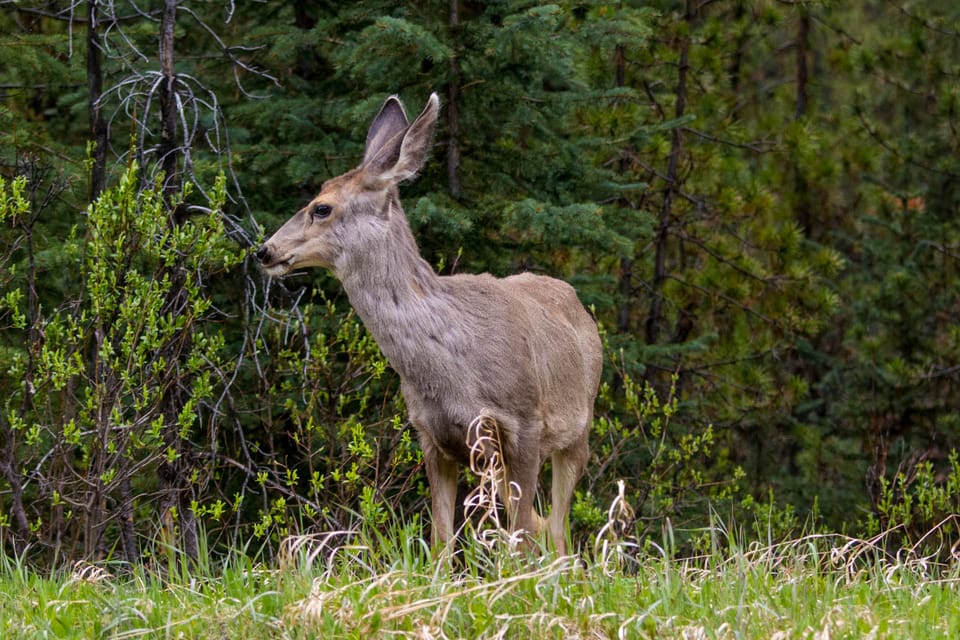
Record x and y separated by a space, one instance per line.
522 352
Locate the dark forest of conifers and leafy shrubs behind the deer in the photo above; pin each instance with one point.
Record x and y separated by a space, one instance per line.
758 198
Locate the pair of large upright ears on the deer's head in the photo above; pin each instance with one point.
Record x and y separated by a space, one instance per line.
401 157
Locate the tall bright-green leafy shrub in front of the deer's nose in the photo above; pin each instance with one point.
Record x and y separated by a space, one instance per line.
107 388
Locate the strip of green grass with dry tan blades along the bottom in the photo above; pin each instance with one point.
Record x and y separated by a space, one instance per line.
370 585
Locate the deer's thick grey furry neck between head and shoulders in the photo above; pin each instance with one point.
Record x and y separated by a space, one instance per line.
398 296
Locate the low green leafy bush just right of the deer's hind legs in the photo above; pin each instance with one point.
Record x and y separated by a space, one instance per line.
672 467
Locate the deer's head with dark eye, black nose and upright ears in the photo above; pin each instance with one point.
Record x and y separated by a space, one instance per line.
352 206
